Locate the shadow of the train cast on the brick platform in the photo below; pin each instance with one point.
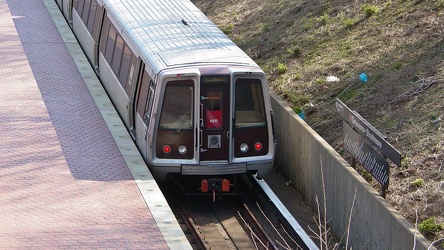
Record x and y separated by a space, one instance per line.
82 140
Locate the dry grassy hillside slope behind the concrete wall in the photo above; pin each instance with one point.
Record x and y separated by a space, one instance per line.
398 44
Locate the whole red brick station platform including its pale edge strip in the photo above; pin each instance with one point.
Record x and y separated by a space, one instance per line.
70 176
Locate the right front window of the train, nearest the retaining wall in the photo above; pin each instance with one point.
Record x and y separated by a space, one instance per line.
249 103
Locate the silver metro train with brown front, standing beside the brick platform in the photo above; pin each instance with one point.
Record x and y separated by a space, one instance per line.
194 103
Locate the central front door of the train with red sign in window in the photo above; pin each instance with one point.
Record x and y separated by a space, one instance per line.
214 118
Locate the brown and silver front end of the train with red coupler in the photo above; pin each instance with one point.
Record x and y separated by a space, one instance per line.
210 126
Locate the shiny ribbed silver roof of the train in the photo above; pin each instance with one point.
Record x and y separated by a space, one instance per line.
175 32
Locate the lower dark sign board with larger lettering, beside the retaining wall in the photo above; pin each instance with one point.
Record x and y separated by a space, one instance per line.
372 161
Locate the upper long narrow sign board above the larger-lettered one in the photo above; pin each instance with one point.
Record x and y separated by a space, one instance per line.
371 134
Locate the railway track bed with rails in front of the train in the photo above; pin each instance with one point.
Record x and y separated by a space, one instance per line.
249 220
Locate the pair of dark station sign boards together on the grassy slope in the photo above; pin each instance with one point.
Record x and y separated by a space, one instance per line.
367 146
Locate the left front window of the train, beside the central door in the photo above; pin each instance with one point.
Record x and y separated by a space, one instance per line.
177 108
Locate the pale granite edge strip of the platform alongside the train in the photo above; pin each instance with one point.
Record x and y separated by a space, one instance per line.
146 184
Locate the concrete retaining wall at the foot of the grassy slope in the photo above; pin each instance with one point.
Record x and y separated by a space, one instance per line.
304 157
